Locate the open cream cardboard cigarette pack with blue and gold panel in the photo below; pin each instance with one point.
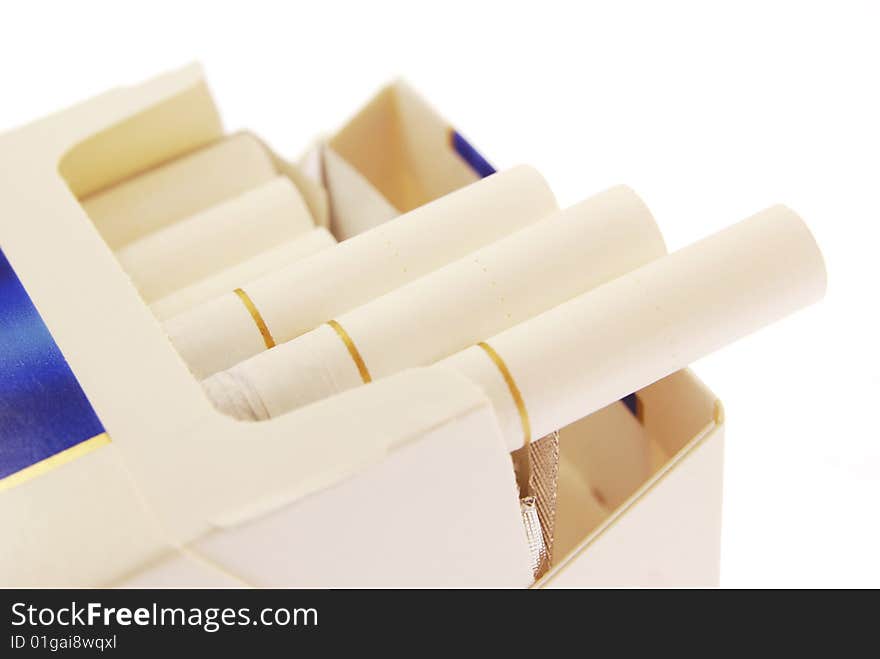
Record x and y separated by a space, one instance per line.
116 470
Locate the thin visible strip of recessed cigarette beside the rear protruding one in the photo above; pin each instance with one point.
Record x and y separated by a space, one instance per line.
241 274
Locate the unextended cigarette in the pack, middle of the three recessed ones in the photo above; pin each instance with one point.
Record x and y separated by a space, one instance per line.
216 239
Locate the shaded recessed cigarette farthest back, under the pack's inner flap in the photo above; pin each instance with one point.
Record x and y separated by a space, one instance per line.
177 189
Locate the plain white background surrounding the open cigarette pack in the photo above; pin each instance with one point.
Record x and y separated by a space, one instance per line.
711 111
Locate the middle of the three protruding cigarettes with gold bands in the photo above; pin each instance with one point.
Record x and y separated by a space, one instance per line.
449 309
